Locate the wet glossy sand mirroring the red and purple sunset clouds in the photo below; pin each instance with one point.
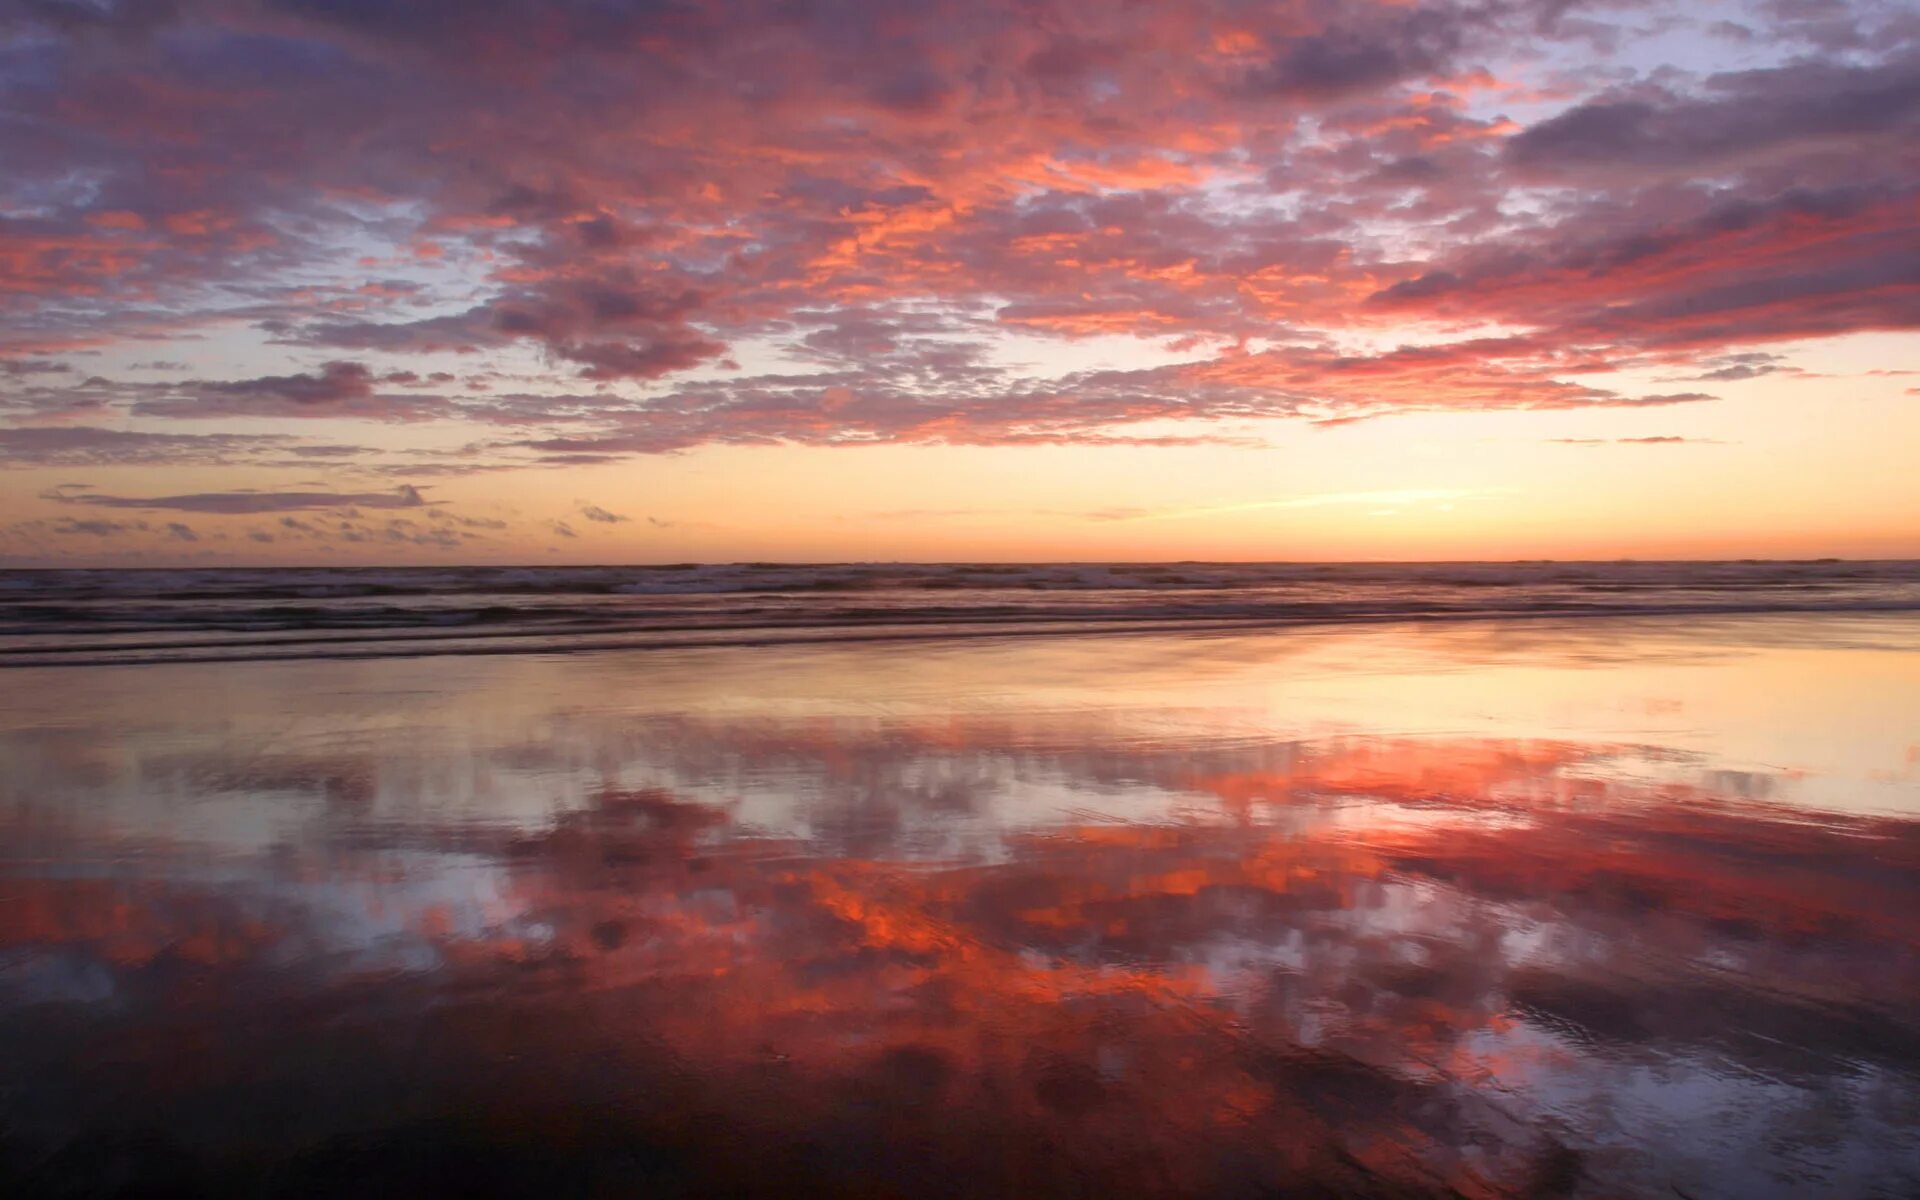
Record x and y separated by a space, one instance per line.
1485 909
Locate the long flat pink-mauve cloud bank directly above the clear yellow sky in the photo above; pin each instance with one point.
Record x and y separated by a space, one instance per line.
1095 408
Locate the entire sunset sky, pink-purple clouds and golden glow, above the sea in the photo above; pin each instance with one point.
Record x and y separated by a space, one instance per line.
638 281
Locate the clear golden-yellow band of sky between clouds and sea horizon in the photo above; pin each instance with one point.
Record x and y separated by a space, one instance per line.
1762 481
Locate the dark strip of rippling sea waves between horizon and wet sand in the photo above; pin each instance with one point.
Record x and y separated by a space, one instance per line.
254 613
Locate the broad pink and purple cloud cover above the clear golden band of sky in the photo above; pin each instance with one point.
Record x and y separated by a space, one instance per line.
569 233
